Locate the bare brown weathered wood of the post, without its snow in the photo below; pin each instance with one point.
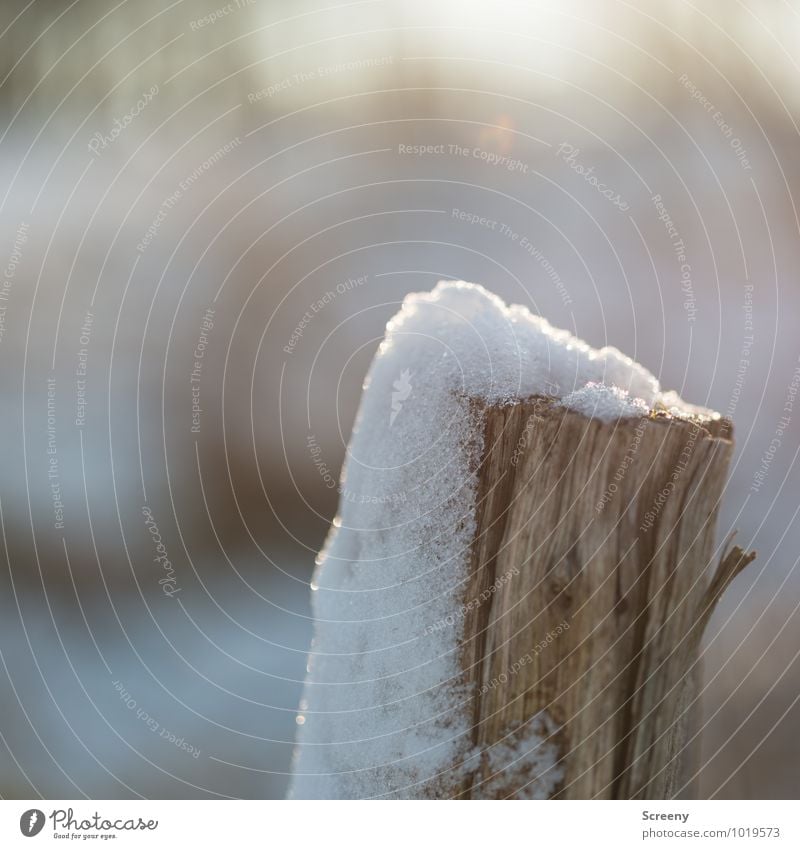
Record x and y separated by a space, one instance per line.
593 576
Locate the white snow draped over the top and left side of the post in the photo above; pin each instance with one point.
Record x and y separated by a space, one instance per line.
385 710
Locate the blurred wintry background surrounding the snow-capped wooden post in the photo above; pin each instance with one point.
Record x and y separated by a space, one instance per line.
209 212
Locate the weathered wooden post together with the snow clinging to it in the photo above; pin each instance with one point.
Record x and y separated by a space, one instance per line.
511 600
